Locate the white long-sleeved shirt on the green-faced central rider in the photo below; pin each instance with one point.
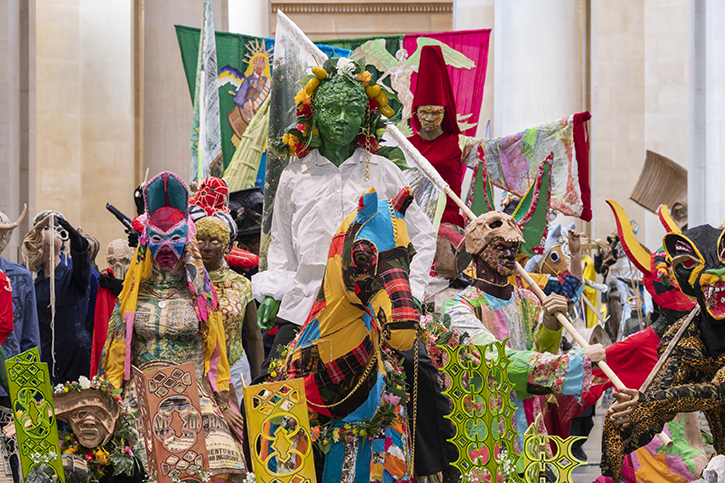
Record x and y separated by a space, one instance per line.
313 197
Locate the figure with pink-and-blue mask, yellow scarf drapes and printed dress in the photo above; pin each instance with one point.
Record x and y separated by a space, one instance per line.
168 314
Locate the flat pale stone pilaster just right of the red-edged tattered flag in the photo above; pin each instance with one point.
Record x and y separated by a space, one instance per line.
617 126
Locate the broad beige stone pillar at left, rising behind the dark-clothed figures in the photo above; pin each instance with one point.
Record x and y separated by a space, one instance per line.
85 113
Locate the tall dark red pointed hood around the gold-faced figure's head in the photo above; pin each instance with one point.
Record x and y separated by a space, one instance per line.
434 88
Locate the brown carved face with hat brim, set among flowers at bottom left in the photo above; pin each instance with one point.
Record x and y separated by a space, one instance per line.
90 414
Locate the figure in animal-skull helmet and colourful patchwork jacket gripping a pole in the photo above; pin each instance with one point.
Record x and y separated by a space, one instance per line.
493 309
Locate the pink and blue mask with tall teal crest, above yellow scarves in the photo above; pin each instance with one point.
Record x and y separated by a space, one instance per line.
168 228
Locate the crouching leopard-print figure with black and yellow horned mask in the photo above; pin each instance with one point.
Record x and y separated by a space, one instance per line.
692 377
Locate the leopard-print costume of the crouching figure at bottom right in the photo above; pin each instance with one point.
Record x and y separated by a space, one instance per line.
689 381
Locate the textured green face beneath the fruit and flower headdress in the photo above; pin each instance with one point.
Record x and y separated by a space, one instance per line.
339 110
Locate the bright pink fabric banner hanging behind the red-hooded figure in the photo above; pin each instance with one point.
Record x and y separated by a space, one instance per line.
467 83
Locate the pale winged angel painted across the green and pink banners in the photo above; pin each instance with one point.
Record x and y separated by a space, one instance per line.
401 67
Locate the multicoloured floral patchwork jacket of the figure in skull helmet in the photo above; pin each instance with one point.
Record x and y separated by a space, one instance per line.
536 367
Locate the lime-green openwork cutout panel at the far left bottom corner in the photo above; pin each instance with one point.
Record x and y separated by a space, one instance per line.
32 404
